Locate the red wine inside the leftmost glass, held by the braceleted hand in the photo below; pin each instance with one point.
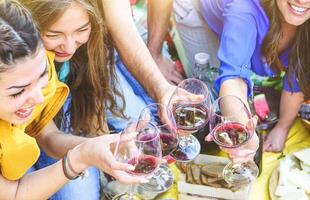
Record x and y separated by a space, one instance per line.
144 164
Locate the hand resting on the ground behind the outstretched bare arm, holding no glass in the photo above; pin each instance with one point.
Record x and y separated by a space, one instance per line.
168 69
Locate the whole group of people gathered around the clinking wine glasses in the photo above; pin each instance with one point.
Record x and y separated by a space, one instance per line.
60 90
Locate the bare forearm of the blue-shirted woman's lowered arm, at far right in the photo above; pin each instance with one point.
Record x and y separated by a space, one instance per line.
289 107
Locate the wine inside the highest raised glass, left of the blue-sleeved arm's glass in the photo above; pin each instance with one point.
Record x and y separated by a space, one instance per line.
190 117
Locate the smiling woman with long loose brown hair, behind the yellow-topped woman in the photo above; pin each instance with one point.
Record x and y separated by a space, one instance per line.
84 53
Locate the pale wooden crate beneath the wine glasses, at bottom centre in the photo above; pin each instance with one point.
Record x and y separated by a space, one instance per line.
189 191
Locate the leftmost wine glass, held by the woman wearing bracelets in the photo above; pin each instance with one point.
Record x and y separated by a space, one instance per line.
139 145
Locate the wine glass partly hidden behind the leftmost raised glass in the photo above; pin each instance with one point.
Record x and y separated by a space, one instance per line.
163 177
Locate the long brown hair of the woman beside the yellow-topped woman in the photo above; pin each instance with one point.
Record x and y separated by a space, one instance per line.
92 72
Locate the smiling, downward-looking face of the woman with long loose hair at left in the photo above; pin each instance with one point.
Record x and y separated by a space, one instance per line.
68 33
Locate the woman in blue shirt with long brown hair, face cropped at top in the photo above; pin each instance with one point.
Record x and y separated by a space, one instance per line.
266 37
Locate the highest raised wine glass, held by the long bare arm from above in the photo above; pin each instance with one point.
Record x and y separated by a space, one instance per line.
190 104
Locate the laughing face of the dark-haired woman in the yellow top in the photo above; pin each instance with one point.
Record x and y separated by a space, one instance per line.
21 88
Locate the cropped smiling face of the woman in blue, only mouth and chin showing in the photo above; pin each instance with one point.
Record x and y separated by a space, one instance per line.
294 12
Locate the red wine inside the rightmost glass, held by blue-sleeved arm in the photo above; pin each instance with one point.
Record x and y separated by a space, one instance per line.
231 134
